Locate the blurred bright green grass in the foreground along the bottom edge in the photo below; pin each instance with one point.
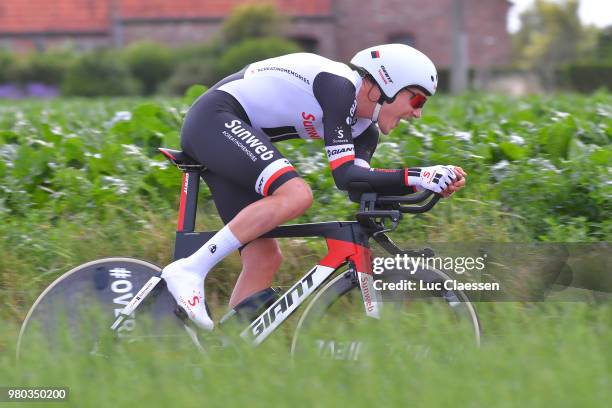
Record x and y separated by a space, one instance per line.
533 355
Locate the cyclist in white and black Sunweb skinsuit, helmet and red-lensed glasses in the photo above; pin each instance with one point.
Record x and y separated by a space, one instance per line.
231 129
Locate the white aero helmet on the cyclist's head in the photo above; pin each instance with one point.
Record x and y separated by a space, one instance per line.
397 66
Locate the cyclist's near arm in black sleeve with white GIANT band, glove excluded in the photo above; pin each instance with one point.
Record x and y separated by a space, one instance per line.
335 94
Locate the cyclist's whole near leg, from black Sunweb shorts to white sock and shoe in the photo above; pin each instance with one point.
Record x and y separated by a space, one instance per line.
218 134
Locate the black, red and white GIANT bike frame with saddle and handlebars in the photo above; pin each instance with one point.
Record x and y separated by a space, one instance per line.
347 243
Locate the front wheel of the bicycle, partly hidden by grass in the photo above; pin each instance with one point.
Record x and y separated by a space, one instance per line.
412 324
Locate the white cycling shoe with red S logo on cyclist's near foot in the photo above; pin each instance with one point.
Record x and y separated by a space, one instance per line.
187 288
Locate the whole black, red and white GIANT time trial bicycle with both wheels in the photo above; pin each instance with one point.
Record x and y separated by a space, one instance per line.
342 286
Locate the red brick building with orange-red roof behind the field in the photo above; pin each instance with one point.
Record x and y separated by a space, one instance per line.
334 28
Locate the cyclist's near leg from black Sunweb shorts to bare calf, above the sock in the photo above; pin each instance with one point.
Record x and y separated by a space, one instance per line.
218 134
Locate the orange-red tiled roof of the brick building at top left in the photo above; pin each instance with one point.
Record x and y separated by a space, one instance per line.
19 16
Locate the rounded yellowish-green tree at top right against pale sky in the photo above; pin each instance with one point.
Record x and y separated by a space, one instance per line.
551 34
